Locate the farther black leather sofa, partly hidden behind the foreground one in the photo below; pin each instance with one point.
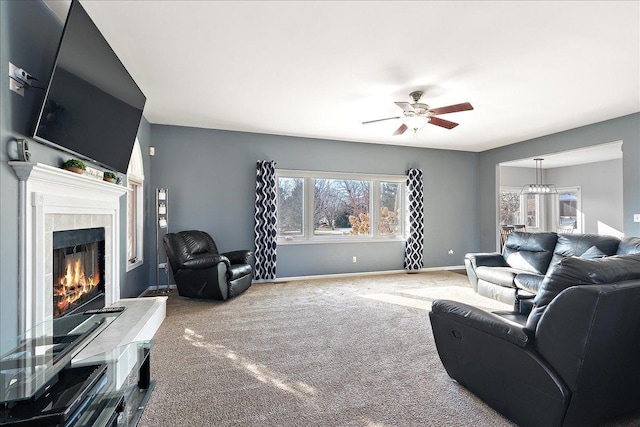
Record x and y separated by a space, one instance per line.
515 275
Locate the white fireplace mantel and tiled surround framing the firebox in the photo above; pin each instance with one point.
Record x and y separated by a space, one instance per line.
52 199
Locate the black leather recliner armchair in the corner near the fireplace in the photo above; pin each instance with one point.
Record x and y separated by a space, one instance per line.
200 271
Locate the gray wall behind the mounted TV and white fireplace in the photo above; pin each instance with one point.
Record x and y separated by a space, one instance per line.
29 37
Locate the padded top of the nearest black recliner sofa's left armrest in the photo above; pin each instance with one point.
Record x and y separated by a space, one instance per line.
482 320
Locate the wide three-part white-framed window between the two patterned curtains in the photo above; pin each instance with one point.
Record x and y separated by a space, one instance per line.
320 206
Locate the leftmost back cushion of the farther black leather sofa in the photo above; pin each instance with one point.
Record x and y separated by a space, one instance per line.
530 252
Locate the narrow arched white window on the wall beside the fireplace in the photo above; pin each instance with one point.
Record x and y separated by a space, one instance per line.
135 211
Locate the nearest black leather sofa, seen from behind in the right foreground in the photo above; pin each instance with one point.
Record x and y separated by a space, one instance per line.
573 361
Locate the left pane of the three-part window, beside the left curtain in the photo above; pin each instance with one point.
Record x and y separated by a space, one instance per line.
290 207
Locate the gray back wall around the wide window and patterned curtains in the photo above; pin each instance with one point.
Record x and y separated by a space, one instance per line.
210 175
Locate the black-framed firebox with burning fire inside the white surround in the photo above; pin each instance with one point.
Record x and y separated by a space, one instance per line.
78 270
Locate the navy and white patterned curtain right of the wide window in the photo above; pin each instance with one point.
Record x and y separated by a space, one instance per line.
414 251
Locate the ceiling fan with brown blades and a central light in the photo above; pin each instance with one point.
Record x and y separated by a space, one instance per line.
417 114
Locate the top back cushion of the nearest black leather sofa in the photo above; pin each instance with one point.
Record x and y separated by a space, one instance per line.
575 271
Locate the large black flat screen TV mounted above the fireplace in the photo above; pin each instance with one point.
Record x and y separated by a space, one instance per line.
92 107
